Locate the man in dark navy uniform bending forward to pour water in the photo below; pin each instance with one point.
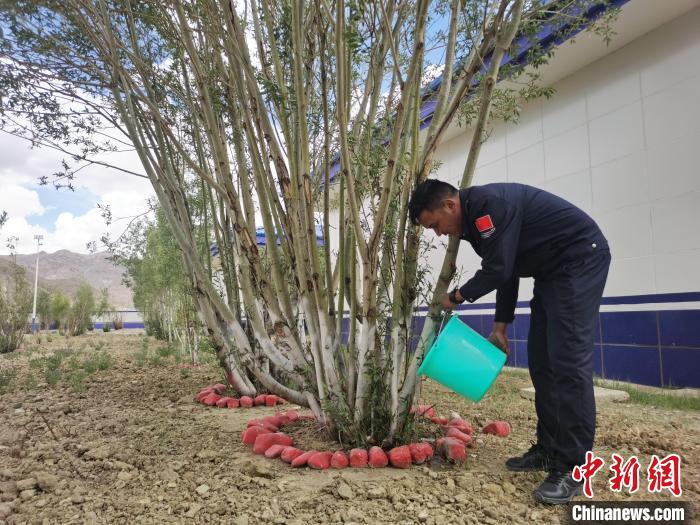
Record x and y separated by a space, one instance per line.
521 231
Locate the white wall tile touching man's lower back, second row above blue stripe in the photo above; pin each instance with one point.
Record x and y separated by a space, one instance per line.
628 231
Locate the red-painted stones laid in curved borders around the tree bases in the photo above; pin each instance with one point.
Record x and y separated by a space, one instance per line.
265 438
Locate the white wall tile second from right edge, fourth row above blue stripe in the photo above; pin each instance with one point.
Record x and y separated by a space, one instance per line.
616 134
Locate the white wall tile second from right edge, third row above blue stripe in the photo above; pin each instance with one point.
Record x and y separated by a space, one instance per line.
620 182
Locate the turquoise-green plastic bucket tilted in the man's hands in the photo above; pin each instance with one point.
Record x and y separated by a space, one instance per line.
463 361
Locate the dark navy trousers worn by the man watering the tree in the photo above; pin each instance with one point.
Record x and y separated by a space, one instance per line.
564 309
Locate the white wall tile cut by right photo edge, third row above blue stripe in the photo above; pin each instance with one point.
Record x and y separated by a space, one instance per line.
674 168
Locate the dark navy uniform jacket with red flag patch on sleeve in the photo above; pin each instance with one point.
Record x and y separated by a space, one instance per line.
521 231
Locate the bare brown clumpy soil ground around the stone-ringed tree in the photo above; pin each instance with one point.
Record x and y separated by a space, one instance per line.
135 448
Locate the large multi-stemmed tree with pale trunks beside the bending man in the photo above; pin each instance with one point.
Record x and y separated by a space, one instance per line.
257 110
